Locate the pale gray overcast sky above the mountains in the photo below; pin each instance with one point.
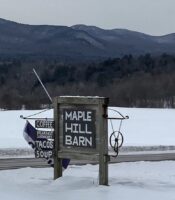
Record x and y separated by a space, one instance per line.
155 17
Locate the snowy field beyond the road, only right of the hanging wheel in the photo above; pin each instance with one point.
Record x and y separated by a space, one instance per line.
148 127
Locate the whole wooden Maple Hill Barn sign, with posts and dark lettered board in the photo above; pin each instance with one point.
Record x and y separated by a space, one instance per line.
81 132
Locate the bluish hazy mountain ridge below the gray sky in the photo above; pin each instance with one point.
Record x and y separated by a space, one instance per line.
78 41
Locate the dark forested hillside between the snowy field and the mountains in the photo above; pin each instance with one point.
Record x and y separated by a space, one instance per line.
143 81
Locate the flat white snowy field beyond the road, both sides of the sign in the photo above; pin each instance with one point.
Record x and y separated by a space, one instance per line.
145 127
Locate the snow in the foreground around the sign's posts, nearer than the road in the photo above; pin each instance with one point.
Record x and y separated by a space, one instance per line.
140 180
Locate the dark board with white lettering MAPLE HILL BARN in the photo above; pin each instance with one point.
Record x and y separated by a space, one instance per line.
79 128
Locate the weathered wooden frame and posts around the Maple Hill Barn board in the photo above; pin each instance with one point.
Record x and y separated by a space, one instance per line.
99 152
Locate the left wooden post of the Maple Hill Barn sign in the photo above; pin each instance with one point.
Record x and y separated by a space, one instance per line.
57 161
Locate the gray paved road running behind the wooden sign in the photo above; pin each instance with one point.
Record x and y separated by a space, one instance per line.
15 163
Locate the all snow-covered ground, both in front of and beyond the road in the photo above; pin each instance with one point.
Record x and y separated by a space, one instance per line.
139 180
